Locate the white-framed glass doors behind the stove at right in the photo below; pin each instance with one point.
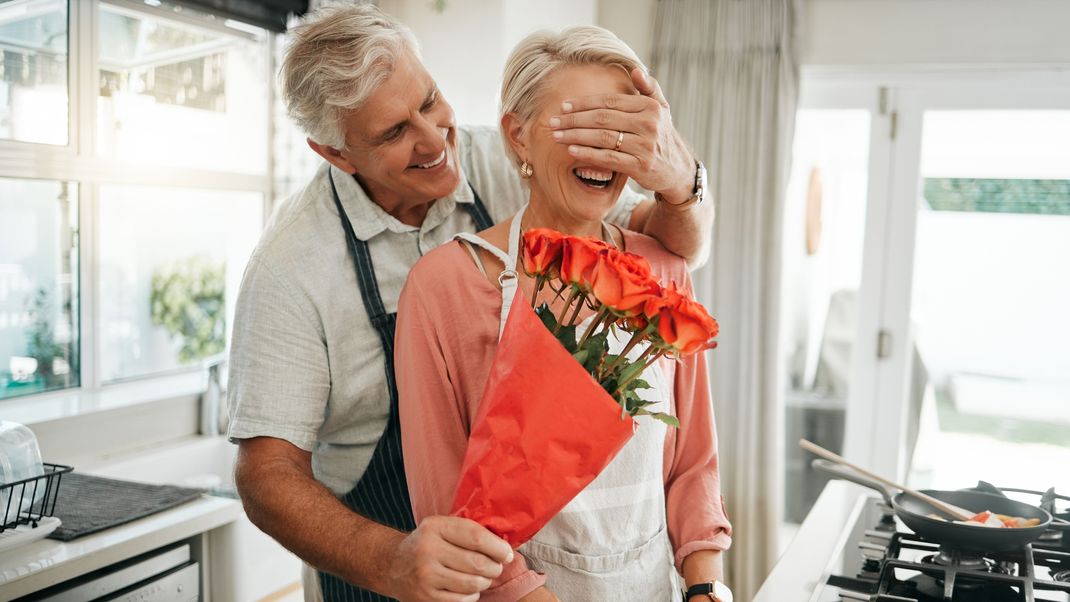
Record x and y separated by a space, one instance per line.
927 281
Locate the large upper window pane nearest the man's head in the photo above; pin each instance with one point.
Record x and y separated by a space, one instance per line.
165 87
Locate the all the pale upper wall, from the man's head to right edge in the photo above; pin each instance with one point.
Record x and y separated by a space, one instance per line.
466 45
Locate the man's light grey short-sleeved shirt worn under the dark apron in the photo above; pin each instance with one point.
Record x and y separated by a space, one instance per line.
307 365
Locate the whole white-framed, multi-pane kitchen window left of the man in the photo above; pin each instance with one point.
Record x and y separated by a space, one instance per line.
135 177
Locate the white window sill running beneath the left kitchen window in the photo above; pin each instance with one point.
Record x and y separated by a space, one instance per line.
47 408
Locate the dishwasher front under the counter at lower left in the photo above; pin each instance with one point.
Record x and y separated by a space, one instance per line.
170 575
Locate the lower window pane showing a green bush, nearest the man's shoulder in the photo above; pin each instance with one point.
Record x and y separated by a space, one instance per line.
166 298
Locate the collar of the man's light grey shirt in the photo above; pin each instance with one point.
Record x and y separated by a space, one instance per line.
370 220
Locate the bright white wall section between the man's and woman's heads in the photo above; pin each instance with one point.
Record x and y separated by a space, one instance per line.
465 47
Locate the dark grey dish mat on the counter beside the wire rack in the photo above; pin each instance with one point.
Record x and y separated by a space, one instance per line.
87 504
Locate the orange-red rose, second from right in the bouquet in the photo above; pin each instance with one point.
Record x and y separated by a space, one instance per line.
622 282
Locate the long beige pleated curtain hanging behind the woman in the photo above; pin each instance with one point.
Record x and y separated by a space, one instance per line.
730 70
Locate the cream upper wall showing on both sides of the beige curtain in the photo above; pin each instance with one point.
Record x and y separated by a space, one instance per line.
898 33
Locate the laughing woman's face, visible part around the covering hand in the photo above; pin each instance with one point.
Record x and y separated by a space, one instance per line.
565 186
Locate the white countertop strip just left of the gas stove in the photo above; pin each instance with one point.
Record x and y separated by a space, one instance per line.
816 552
